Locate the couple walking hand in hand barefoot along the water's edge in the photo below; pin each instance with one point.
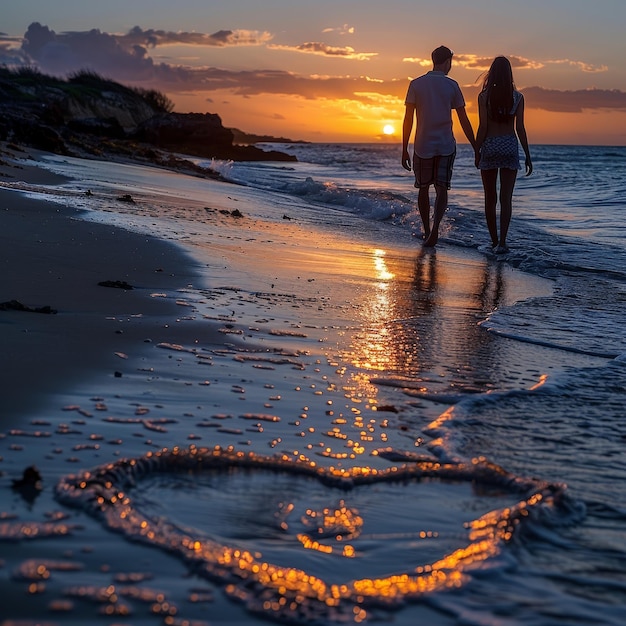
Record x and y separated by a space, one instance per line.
430 100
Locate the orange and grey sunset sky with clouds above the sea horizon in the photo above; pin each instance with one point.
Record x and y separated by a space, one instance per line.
337 70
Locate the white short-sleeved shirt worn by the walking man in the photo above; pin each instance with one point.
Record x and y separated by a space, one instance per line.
434 95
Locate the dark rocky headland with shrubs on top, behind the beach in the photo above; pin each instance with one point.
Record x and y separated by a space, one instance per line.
88 115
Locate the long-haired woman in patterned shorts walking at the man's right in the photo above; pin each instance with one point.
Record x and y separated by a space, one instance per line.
501 116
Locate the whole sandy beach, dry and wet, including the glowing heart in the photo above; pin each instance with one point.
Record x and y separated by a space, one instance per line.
283 389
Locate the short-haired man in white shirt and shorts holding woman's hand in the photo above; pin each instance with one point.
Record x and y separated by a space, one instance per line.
430 99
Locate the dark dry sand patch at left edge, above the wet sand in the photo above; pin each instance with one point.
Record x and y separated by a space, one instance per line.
51 258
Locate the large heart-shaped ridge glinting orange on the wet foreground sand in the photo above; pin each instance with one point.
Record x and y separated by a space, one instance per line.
293 593
